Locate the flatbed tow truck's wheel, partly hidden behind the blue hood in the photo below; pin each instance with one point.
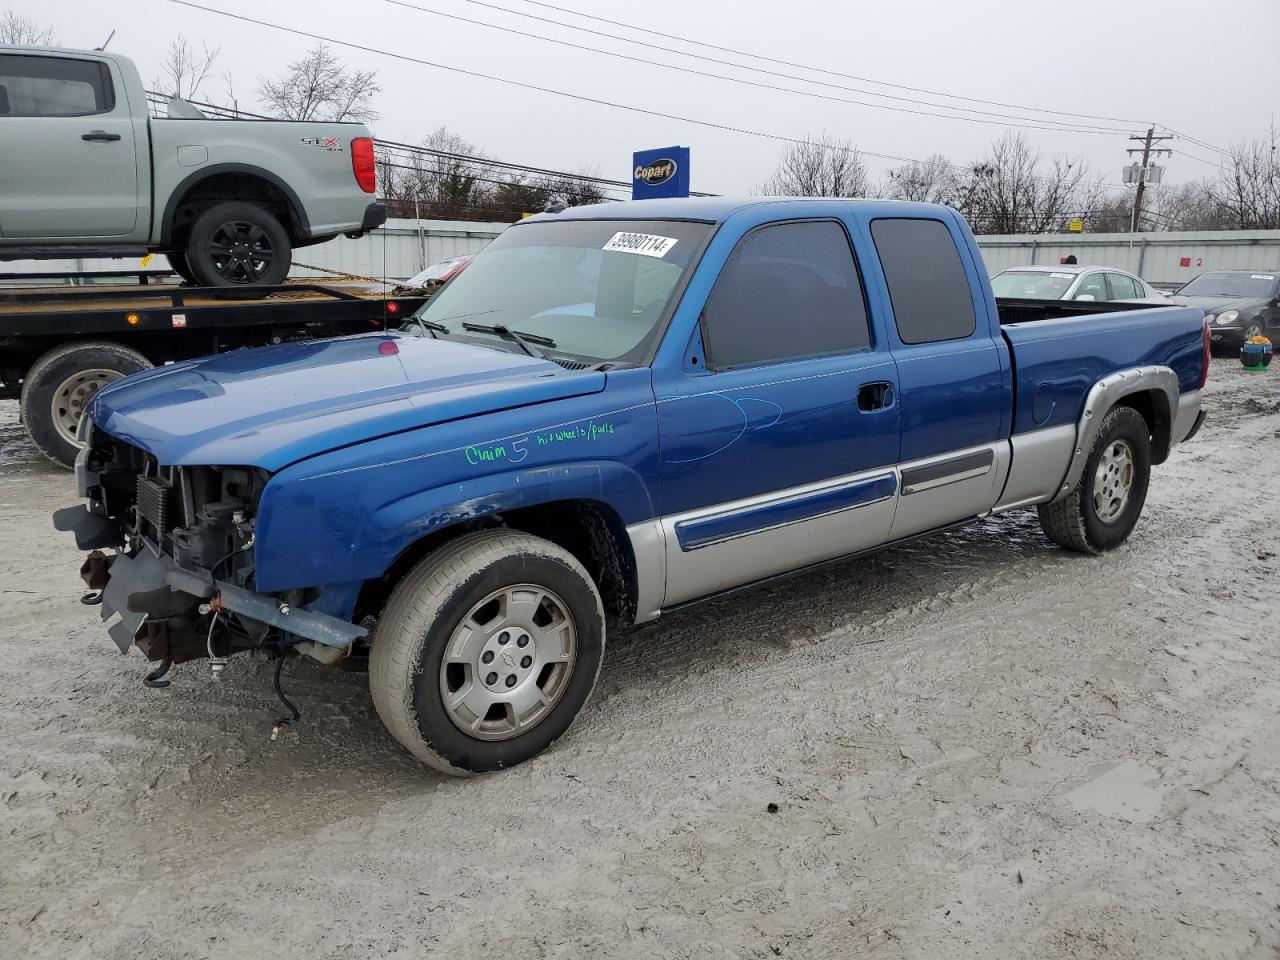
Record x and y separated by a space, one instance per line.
58 387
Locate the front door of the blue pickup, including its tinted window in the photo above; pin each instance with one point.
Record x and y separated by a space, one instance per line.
780 433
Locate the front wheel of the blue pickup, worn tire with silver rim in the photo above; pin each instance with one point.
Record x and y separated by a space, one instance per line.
487 651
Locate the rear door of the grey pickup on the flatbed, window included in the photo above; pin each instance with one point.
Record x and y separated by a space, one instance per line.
68 163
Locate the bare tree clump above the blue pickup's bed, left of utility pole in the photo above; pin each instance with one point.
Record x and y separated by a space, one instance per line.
1009 190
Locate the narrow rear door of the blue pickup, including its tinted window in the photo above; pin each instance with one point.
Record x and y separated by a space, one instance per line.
953 368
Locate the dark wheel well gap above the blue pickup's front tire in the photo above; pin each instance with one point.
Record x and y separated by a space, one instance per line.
591 531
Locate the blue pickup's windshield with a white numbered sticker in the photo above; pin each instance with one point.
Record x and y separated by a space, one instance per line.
595 289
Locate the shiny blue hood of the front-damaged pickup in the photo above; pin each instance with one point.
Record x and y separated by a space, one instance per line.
273 406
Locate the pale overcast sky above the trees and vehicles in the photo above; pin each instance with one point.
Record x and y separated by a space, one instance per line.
1206 70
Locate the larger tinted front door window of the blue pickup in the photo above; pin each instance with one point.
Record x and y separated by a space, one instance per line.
788 291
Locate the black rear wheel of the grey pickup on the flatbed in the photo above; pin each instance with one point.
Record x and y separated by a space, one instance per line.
237 246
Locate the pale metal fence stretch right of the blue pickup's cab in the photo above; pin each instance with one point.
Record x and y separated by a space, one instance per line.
1165 260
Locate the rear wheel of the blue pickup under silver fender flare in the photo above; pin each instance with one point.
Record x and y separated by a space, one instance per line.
1104 509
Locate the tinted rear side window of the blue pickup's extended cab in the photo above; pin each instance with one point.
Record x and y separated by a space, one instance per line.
927 284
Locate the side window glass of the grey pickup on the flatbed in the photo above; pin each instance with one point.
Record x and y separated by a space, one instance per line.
53 86
